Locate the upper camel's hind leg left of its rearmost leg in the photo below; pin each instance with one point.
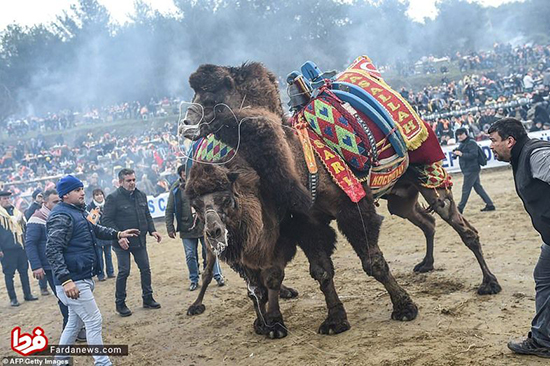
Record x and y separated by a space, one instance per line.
404 203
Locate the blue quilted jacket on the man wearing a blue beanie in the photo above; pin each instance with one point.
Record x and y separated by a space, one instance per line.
71 243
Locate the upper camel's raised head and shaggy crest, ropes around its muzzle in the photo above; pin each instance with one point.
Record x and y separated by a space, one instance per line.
221 89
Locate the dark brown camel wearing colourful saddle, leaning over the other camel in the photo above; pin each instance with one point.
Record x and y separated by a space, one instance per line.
241 106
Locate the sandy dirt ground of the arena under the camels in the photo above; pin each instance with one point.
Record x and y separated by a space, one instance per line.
455 326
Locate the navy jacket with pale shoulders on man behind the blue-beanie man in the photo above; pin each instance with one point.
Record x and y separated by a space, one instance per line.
35 240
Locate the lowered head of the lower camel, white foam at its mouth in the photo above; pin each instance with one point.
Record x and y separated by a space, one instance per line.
211 191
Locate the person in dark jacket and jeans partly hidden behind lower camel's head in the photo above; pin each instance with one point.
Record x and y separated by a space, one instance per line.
190 230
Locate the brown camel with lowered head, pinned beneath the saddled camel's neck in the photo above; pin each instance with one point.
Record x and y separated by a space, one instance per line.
228 200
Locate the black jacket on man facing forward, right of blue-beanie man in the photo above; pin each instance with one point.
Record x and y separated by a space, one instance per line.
128 210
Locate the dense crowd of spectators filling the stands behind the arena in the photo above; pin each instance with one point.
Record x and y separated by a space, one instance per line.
484 94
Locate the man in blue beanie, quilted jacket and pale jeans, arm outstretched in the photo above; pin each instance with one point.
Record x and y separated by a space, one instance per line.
70 249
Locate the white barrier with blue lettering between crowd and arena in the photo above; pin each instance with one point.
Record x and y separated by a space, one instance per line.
157 205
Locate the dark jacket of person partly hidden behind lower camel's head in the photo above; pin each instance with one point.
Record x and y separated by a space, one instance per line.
179 206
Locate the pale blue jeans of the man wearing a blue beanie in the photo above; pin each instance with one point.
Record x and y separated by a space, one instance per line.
83 312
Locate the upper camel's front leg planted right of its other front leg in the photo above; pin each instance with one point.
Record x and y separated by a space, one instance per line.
361 226
